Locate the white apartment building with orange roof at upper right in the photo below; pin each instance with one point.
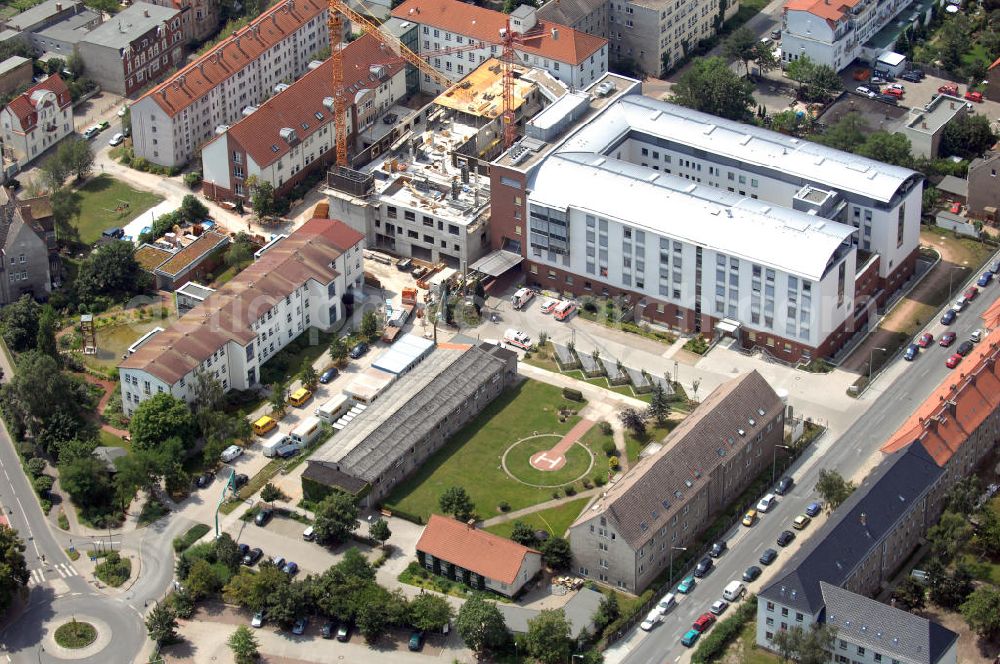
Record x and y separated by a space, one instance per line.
835 32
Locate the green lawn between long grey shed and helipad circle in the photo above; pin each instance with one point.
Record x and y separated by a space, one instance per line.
471 458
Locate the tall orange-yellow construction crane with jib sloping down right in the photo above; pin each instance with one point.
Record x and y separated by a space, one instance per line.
338 10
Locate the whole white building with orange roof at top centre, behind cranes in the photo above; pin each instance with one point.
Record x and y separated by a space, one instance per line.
575 58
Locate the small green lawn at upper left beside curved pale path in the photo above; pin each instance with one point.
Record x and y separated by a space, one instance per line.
97 201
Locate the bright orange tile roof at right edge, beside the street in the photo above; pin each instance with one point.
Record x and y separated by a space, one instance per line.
946 419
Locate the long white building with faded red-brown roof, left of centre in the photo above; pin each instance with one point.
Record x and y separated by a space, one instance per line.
297 284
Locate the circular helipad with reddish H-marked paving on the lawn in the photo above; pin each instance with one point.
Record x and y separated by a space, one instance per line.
544 461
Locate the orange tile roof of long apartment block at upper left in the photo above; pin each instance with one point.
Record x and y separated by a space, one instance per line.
233 54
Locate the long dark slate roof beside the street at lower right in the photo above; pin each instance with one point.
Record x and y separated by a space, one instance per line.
831 554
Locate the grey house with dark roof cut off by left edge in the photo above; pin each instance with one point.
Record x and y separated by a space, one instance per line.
26 256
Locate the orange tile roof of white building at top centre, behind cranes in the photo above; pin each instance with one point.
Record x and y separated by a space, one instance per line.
483 24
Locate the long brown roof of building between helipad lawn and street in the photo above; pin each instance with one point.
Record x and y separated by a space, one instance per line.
647 497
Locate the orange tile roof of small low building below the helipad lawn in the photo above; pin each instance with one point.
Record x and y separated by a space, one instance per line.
478 551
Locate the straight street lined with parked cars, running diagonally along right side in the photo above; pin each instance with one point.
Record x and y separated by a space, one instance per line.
893 397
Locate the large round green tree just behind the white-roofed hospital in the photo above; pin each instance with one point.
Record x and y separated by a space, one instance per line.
712 87
